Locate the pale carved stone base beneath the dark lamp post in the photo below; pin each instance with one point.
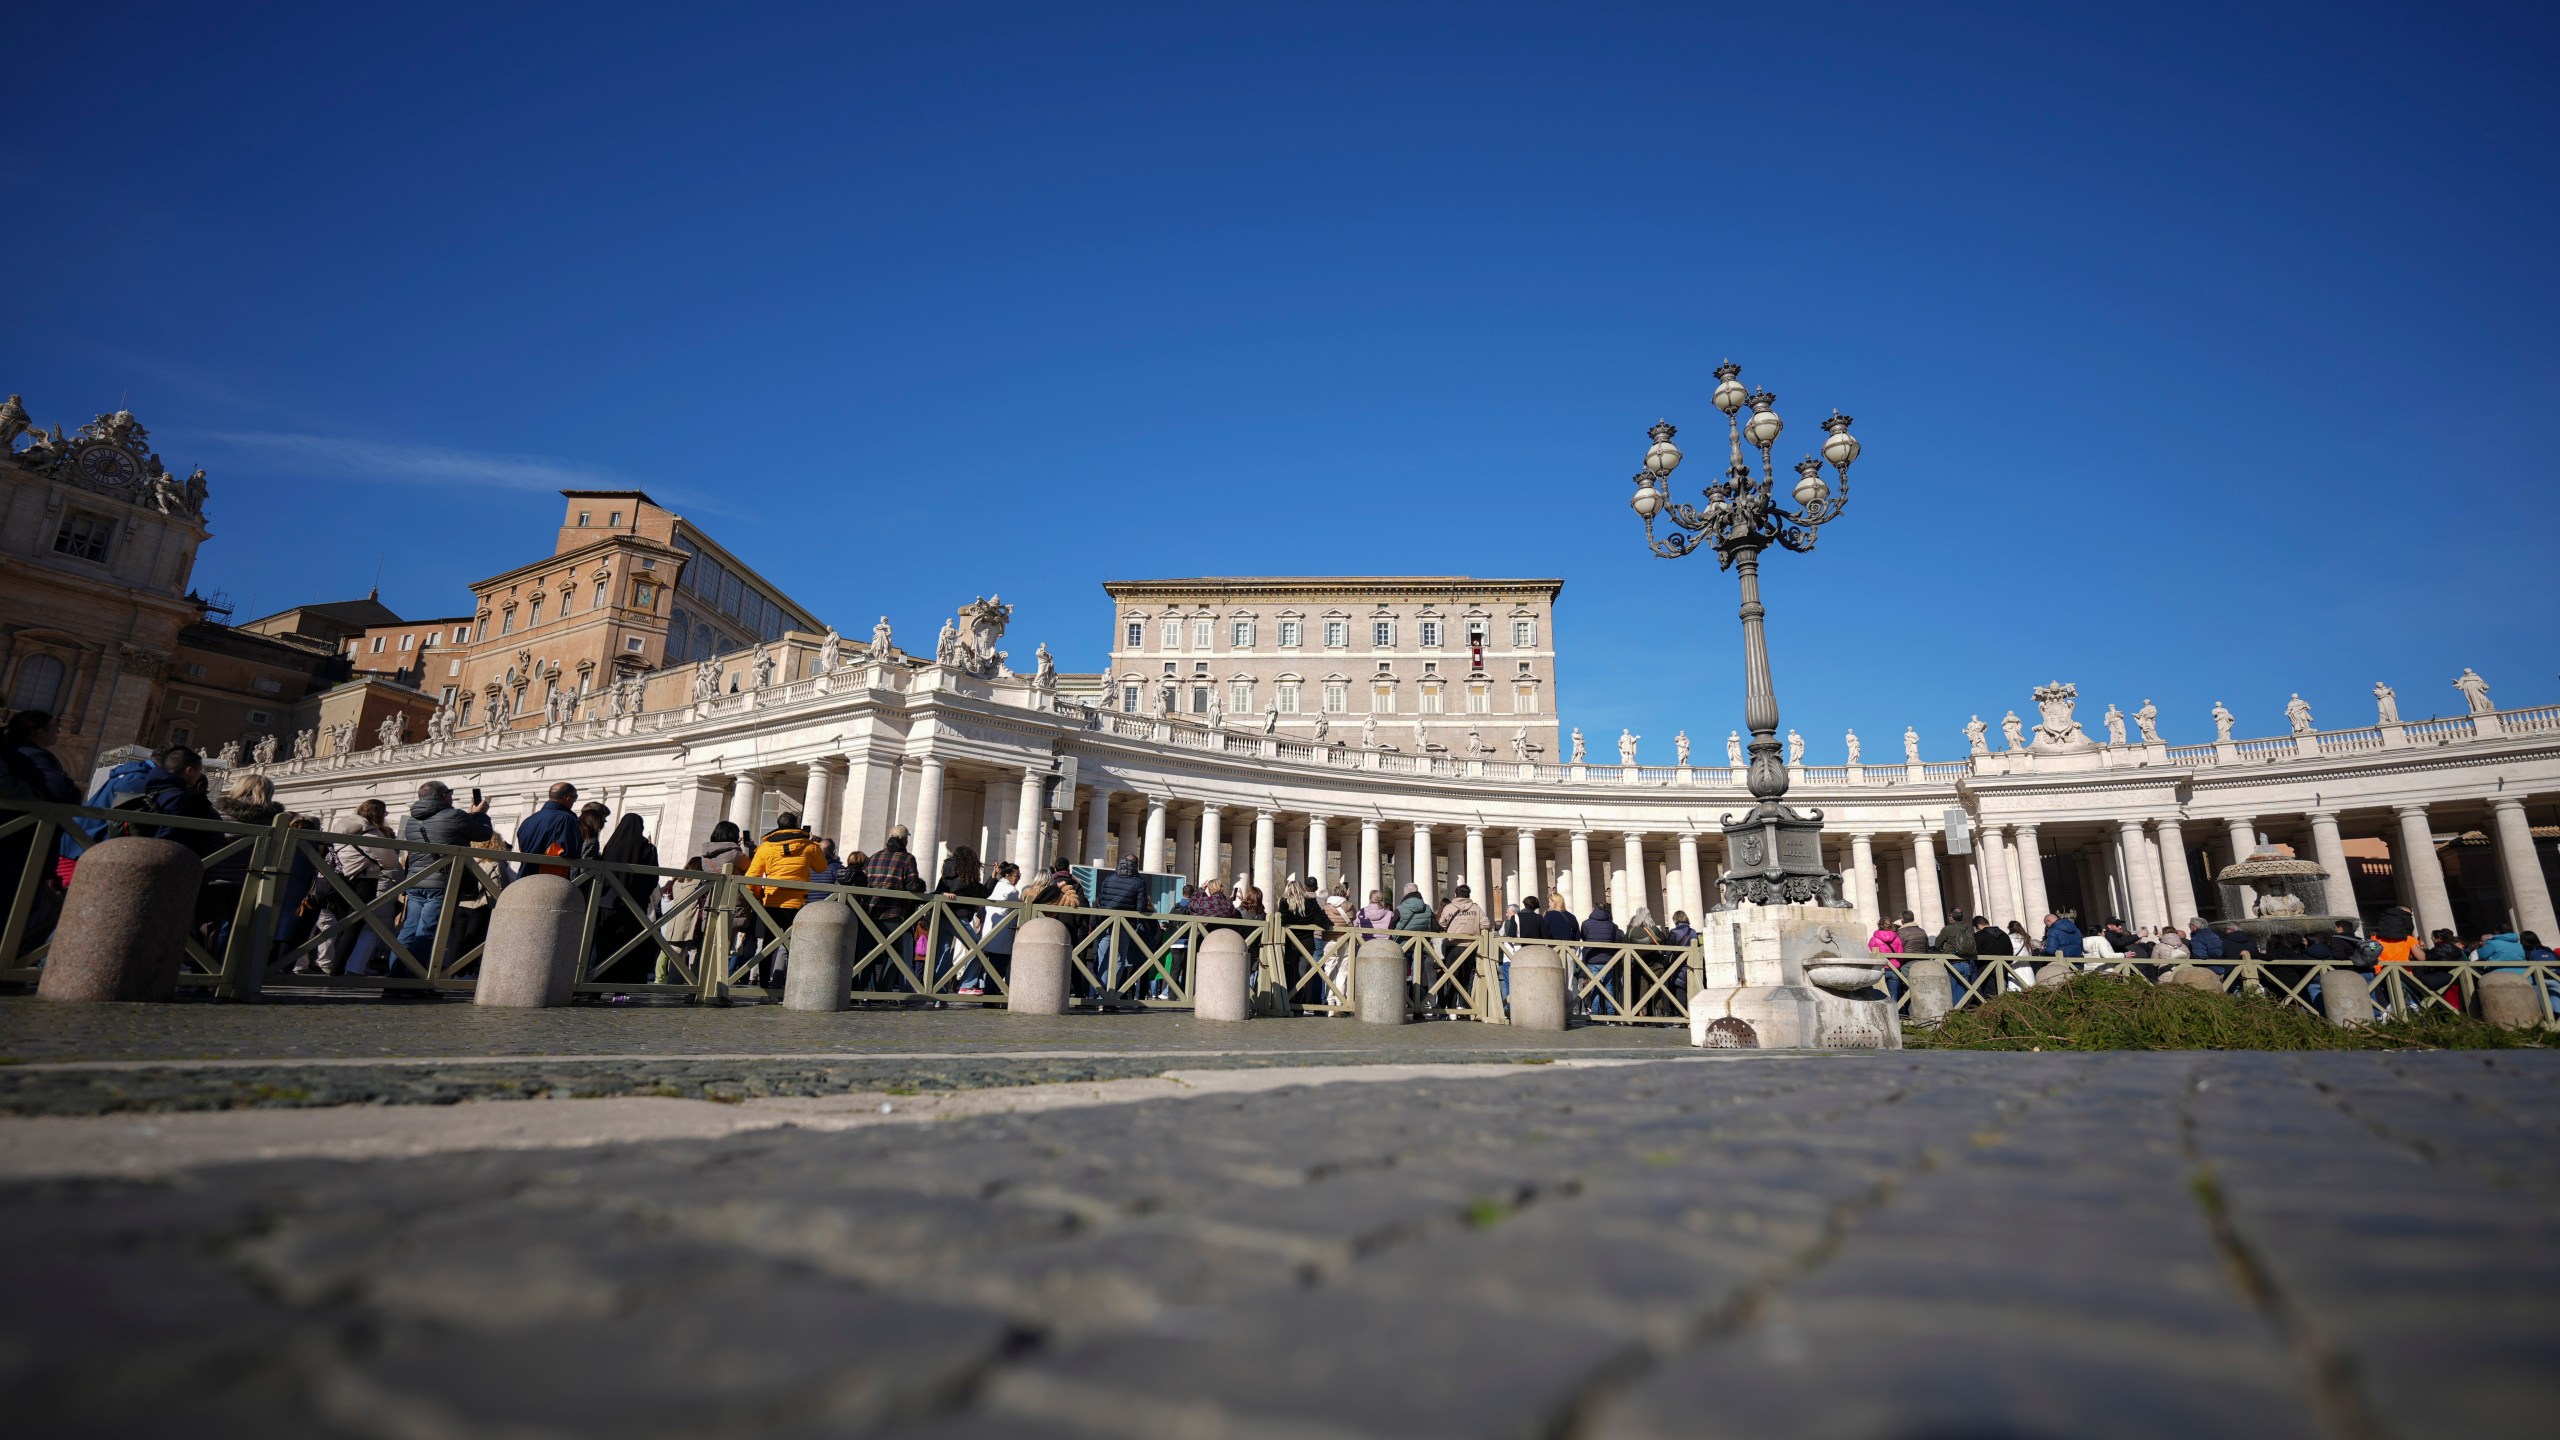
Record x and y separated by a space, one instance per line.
1791 978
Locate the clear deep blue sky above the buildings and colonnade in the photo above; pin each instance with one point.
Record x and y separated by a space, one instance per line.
2200 355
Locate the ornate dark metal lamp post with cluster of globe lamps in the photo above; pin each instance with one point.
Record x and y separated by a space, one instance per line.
1775 855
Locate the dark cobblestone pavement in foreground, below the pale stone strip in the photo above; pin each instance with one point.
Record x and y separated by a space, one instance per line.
1898 1247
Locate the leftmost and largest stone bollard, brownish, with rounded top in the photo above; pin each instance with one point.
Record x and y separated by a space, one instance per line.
124 926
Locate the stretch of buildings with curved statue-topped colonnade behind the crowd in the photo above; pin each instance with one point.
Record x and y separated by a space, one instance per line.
1381 729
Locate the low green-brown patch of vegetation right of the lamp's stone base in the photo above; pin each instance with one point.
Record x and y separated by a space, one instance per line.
2116 1013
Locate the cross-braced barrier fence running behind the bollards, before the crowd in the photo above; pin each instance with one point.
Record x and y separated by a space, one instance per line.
275 898
